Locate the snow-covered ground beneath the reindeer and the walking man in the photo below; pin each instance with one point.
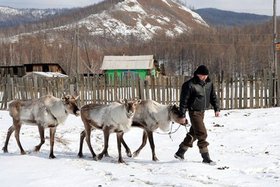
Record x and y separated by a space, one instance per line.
244 143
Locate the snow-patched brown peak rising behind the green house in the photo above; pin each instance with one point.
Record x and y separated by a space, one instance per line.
144 19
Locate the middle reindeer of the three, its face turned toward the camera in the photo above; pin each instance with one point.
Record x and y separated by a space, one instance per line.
115 117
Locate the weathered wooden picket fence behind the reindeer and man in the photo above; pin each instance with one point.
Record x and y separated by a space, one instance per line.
234 92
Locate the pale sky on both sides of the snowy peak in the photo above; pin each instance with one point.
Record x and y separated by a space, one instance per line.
264 7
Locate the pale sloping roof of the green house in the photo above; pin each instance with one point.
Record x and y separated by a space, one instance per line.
128 62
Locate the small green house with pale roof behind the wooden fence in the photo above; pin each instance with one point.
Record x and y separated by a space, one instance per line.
141 66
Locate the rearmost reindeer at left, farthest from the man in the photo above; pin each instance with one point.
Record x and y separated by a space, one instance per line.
45 112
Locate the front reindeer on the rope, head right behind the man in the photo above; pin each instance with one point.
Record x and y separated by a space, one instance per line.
151 115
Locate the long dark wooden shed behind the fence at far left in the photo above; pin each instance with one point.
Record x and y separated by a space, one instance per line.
21 70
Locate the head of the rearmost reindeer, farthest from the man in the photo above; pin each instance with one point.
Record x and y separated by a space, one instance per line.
71 105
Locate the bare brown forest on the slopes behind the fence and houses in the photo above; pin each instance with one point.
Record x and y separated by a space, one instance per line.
234 50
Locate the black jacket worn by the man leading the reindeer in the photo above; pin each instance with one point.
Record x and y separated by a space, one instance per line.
196 95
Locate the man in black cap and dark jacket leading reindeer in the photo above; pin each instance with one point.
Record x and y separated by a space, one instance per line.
196 95
